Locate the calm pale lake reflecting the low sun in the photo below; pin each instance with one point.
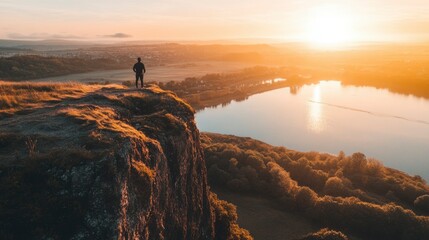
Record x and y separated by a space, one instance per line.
329 117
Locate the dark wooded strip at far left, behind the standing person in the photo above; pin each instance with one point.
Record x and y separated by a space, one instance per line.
33 66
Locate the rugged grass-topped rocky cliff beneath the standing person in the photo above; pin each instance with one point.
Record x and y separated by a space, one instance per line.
102 164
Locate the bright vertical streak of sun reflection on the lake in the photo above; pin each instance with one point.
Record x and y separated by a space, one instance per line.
315 121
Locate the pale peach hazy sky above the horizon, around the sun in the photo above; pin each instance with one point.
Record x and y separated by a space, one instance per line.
204 19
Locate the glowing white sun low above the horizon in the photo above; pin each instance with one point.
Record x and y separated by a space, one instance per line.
329 27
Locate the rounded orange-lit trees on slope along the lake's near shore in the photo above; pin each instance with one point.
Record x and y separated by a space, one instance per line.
350 193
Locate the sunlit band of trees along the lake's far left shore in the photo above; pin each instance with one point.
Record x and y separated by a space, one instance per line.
221 88
